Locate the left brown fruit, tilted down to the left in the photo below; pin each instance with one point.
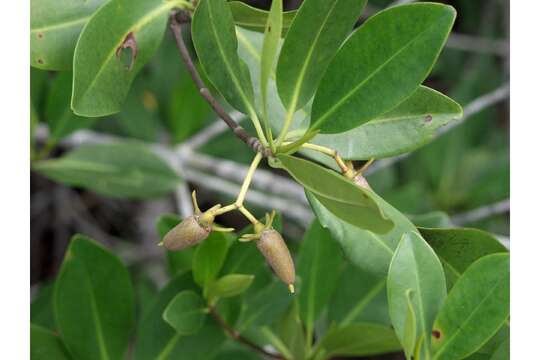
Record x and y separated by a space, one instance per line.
188 233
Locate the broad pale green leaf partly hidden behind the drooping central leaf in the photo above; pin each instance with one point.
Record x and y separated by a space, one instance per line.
367 250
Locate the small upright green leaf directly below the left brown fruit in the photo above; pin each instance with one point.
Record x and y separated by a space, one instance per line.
209 258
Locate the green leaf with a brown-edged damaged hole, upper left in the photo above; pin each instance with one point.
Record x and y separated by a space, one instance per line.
101 78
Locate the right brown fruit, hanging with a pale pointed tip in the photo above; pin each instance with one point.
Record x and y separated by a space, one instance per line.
274 249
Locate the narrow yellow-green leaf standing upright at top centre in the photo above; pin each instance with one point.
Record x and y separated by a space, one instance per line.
271 45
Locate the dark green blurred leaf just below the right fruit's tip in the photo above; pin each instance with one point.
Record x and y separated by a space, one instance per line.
264 306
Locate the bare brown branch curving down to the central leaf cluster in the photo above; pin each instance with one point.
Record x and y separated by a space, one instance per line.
176 20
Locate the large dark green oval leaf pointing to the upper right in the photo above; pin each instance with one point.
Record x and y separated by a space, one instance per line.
380 65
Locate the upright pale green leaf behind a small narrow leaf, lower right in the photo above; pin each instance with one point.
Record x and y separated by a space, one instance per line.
416 268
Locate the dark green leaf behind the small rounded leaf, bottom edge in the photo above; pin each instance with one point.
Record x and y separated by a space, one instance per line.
156 339
